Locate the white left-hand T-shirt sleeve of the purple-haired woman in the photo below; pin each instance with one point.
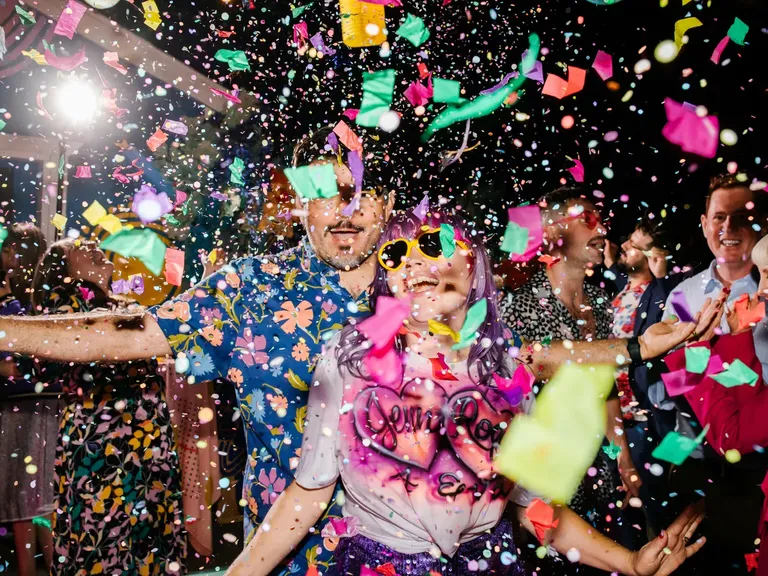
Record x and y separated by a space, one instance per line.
318 466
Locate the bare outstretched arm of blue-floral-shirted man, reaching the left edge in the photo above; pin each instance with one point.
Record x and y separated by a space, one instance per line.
91 337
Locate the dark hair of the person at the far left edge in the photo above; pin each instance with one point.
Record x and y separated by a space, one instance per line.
28 244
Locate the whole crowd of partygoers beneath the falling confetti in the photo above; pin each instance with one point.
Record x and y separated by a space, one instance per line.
372 417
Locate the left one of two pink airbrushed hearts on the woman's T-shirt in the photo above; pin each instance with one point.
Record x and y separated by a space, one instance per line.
403 426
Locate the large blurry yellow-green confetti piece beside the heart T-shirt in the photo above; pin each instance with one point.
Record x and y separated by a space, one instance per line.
549 452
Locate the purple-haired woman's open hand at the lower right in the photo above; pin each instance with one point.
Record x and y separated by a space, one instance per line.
664 554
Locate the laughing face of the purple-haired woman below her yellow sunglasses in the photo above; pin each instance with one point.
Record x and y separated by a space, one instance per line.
438 287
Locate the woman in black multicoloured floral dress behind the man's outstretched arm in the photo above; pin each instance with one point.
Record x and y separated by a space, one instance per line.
118 488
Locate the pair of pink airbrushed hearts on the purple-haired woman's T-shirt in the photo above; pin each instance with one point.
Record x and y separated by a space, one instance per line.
409 426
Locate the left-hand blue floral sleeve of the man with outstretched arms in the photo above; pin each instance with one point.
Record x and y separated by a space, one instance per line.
204 321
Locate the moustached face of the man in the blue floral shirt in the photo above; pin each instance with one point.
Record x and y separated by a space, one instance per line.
341 241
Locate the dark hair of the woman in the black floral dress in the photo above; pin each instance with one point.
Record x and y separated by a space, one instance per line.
51 278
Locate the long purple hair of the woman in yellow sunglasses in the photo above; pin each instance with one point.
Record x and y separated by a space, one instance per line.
483 361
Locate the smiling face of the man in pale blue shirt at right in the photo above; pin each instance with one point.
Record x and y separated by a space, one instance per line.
727 227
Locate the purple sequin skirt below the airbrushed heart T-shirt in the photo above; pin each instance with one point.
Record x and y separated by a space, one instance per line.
492 554
